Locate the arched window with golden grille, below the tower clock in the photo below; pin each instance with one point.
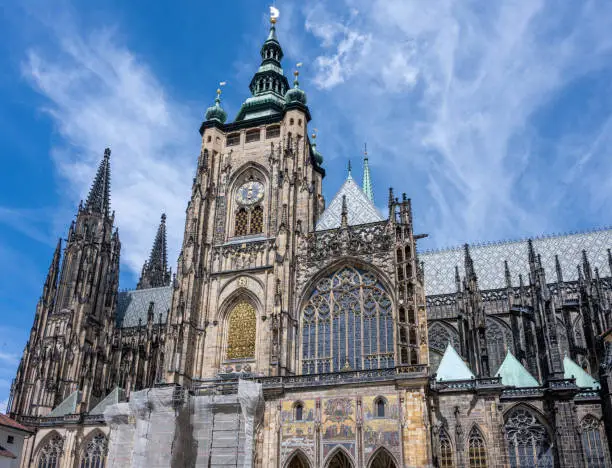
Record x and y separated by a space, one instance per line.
242 325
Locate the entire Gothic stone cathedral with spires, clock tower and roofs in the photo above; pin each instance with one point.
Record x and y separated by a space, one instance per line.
299 334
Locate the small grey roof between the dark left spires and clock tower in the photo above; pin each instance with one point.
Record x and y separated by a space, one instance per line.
134 305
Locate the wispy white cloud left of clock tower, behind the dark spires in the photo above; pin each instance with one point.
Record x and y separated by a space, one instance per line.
101 94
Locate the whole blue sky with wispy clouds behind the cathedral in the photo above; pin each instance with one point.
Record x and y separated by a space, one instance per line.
494 117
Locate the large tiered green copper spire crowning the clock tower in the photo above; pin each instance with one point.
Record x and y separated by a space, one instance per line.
269 84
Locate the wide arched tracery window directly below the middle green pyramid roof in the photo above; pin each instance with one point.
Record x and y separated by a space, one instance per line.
528 441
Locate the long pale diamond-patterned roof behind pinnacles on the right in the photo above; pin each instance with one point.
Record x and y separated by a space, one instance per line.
489 260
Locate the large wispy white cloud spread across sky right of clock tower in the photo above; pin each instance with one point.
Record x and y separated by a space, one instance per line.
446 93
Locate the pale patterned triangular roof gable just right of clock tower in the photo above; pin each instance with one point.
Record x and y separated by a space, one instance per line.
360 209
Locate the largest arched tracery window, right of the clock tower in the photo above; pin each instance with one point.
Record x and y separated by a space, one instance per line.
347 324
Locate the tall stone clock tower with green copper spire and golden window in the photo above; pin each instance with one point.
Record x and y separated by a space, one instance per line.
257 187
